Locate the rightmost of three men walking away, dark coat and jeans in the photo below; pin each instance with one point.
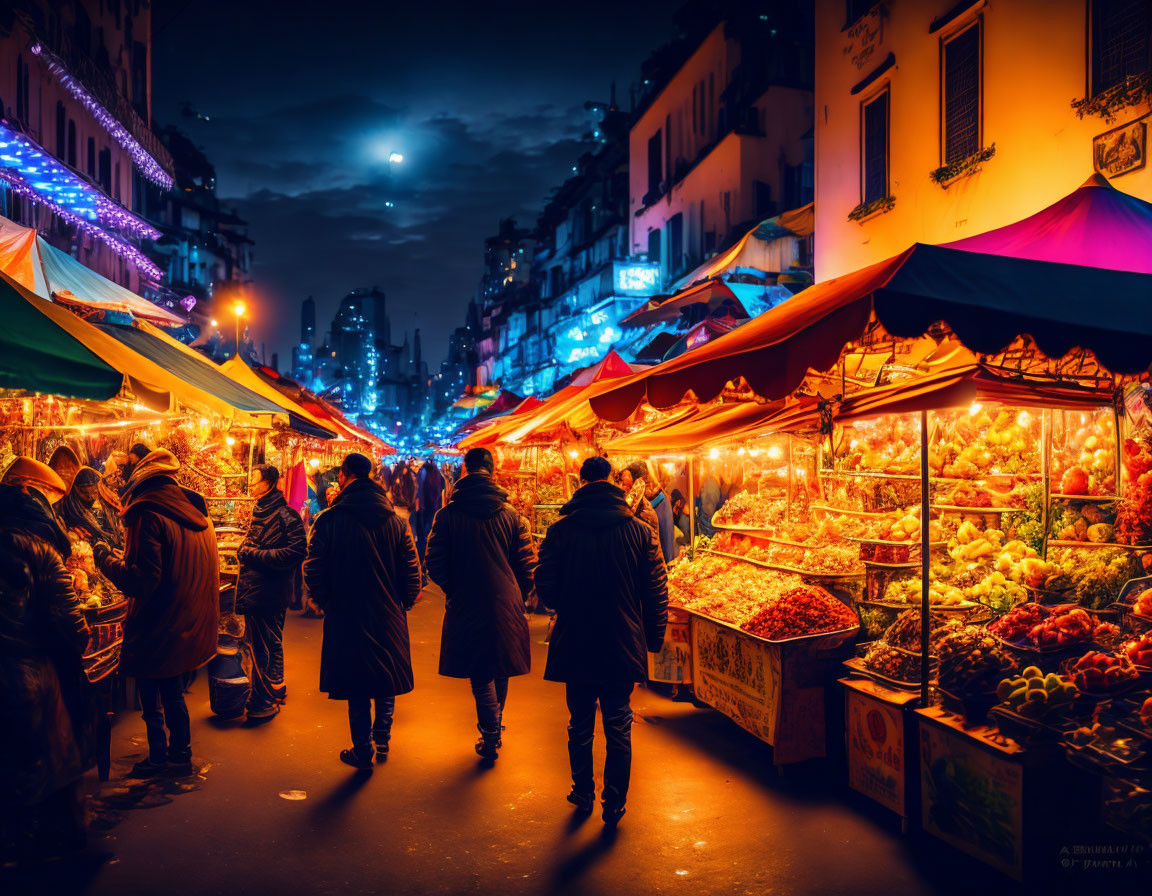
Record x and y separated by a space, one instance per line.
602 571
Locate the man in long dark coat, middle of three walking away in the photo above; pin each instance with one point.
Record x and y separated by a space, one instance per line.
481 553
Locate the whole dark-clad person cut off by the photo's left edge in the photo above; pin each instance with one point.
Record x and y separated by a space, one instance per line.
43 635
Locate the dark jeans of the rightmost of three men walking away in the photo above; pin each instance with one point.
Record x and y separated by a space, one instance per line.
617 715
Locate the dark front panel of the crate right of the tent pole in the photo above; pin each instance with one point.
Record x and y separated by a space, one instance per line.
972 799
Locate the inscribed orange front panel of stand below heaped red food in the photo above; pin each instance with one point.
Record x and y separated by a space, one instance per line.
738 675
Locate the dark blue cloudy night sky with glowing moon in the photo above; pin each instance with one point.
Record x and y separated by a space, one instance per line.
306 101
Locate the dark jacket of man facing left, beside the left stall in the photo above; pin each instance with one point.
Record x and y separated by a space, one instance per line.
270 556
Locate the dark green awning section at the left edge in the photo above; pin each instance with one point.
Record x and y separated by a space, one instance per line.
37 355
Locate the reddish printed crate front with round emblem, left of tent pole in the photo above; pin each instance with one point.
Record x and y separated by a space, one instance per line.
876 750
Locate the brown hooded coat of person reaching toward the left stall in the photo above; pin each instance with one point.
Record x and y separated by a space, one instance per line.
171 573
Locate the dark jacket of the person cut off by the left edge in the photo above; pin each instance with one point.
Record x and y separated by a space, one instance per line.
43 634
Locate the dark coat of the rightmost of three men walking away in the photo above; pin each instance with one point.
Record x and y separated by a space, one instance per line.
602 571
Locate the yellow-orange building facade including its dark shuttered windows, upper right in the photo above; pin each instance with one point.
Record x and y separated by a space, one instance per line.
937 122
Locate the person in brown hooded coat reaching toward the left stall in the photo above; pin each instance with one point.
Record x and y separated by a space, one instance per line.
171 573
